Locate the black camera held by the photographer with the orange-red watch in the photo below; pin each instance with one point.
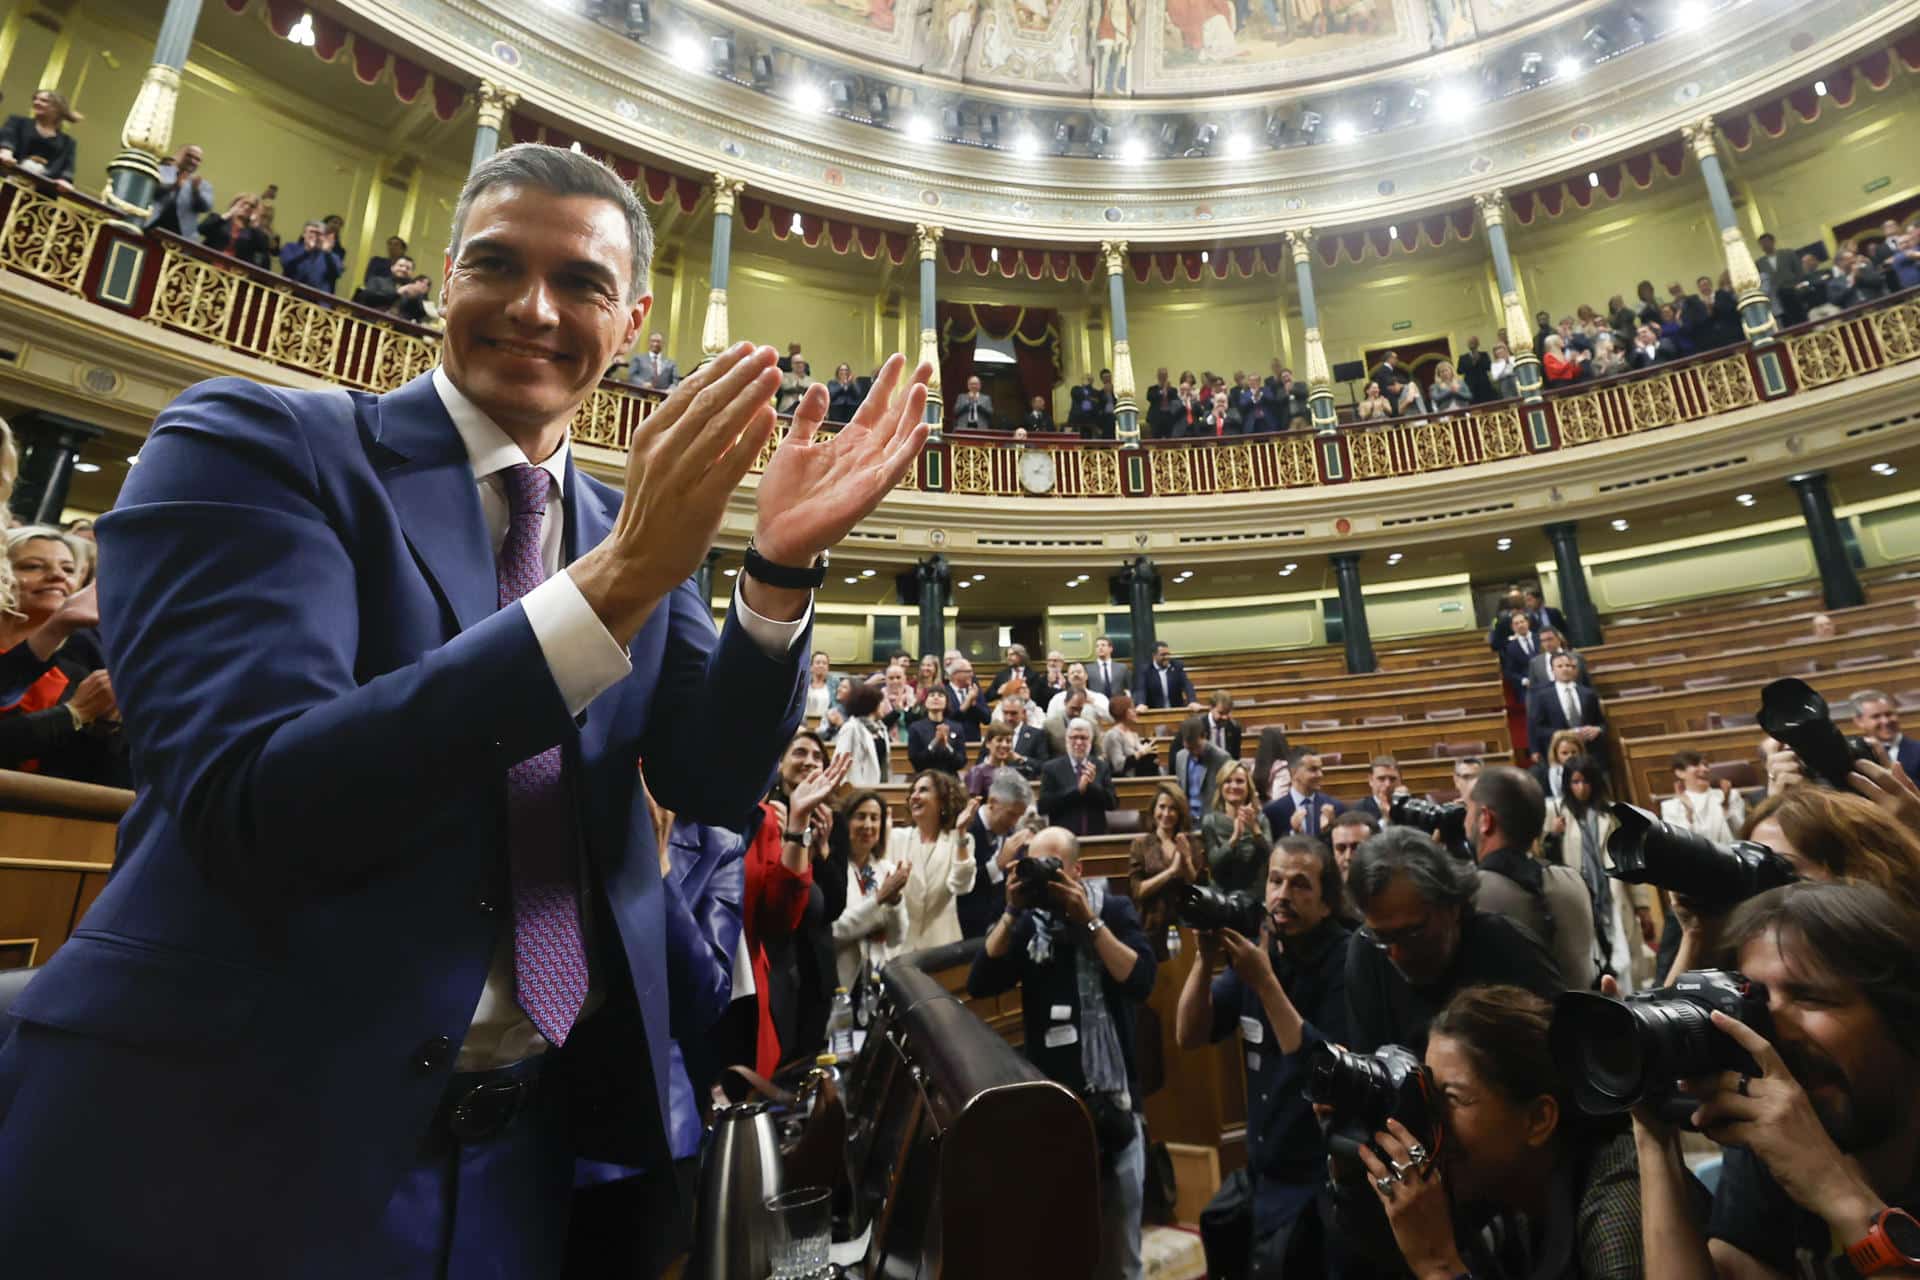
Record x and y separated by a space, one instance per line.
1620 1055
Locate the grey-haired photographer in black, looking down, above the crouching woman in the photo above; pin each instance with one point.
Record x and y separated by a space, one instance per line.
1424 941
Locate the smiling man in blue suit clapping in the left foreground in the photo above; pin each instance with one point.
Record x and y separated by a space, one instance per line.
391 949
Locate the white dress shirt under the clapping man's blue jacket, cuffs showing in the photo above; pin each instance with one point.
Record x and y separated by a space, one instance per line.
585 661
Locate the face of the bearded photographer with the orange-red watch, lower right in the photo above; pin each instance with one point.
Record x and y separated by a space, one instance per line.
1836 1045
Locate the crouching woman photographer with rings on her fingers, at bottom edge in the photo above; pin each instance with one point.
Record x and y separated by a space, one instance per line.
1522 1185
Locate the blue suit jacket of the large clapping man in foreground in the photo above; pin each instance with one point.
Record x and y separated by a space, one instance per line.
247 1041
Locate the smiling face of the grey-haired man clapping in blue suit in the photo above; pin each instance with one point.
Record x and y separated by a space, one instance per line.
537 304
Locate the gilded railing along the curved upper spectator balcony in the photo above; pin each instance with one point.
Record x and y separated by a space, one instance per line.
82 249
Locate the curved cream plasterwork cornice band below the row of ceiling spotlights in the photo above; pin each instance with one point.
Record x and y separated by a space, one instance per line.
635 99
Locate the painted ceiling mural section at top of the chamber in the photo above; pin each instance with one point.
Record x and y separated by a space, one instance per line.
1141 47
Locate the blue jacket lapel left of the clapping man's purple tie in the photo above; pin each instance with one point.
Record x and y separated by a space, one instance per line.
431 485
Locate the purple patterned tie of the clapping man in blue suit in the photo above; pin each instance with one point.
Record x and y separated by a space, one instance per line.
550 959
